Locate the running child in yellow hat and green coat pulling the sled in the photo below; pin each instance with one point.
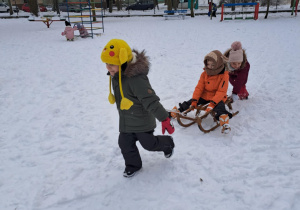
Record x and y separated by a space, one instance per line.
137 103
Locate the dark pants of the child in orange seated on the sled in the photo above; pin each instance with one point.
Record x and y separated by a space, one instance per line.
219 108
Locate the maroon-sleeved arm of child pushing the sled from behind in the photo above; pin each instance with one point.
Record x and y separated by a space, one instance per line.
241 79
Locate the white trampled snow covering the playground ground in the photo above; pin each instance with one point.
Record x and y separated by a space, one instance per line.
58 133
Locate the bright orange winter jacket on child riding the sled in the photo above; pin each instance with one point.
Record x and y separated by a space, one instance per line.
212 88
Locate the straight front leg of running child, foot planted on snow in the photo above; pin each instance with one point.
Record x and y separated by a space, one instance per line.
130 152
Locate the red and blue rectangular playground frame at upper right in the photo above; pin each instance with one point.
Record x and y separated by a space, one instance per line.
234 15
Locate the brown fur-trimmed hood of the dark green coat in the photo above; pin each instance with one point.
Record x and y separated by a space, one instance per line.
139 65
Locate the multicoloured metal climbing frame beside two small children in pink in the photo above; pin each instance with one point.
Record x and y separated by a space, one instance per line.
89 21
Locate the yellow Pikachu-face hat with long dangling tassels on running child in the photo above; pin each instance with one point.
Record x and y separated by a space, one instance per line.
117 52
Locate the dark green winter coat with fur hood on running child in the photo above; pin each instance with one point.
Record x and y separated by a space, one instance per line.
136 87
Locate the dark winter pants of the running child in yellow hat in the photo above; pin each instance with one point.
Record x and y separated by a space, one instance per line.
130 152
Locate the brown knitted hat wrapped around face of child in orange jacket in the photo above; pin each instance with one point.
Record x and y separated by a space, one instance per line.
218 59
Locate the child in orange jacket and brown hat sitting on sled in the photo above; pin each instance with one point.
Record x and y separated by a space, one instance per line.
212 88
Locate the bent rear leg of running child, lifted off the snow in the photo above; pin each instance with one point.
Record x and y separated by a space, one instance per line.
156 143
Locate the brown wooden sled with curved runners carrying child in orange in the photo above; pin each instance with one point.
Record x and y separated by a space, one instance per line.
198 119
